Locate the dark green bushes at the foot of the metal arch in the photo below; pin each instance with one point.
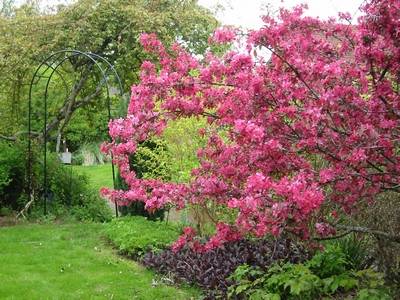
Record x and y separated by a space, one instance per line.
68 192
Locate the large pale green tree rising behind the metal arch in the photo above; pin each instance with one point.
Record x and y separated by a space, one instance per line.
107 28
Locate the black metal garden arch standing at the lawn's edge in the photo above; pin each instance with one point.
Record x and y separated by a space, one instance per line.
46 70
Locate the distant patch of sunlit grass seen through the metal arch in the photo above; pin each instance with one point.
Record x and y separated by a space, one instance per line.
99 175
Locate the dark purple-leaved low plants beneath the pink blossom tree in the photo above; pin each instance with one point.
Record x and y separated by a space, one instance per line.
210 270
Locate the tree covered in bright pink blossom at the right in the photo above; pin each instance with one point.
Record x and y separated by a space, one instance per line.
308 133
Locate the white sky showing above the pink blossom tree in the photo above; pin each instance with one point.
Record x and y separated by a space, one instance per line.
247 13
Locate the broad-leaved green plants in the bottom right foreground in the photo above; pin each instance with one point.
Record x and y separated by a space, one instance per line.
314 279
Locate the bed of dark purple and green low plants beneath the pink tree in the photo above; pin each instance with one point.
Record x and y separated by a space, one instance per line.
280 269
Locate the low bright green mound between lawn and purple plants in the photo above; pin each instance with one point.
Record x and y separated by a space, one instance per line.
135 235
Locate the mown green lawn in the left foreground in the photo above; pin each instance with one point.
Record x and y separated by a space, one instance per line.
71 261
